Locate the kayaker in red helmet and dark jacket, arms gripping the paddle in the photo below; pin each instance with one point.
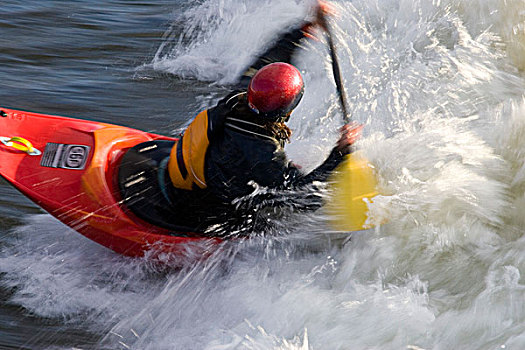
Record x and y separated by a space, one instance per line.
237 145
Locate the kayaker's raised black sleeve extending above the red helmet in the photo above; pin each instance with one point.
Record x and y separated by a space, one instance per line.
282 51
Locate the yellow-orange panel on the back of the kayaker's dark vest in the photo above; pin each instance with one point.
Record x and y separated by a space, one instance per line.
186 164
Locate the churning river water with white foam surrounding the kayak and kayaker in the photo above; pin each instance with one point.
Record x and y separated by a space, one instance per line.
439 85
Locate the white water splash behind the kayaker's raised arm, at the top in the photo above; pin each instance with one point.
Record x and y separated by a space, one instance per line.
210 48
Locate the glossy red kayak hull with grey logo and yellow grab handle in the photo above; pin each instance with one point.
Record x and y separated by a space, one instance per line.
69 167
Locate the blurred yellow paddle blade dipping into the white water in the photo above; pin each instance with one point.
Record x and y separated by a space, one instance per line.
353 185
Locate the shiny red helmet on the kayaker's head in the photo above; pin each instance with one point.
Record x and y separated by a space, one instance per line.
275 90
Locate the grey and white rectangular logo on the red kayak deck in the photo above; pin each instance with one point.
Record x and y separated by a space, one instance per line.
59 155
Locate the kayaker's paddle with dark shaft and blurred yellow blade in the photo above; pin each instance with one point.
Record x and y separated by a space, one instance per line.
353 182
